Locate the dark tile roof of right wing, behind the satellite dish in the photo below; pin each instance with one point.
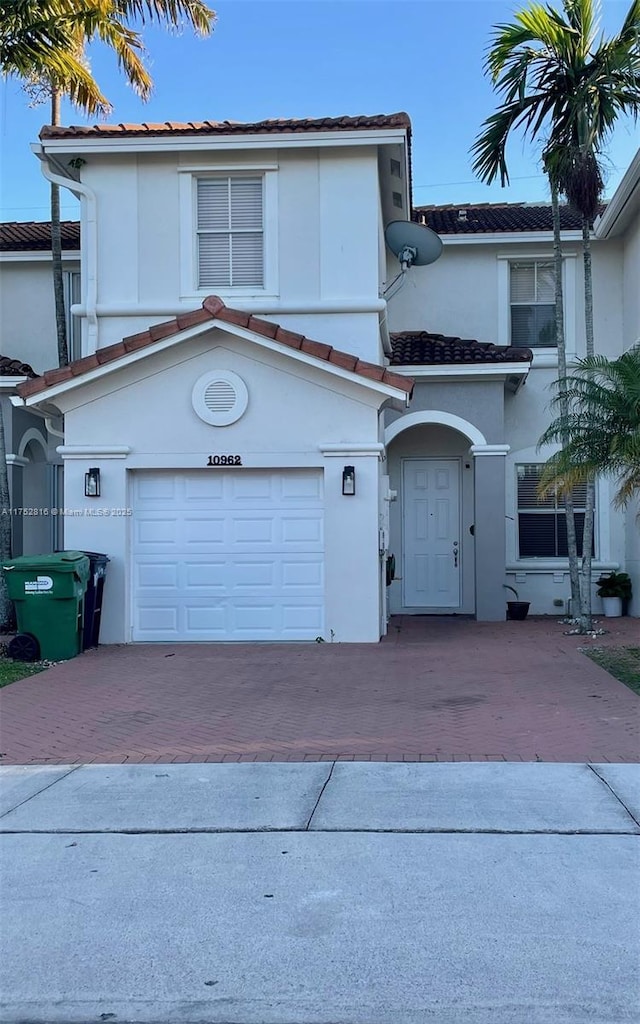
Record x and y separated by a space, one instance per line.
484 219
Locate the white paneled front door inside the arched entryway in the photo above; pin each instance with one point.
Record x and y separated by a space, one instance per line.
432 556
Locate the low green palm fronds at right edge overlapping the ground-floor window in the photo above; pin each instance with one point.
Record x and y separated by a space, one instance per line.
604 428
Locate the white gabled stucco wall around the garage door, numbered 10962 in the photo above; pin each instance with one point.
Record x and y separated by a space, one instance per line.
293 411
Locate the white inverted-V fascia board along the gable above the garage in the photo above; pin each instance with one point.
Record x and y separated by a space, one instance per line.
164 344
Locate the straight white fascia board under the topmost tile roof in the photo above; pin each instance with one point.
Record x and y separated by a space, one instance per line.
221 144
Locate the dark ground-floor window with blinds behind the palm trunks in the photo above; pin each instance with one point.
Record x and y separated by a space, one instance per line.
542 523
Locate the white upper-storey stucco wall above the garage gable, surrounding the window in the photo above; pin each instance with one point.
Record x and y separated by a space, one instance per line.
322 239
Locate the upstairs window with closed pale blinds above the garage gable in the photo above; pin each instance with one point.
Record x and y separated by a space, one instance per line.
231 233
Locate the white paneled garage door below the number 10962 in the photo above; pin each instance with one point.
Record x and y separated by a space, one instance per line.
228 556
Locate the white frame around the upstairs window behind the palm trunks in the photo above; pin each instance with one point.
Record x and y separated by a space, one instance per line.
542 357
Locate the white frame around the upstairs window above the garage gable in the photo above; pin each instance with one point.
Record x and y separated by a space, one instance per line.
189 229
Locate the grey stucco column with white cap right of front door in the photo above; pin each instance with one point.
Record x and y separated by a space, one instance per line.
490 532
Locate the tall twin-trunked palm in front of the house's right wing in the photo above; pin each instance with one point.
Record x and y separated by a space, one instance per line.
560 79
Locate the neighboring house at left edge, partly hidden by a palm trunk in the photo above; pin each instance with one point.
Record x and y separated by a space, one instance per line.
28 335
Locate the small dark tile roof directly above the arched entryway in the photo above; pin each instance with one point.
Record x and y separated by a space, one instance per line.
422 349
